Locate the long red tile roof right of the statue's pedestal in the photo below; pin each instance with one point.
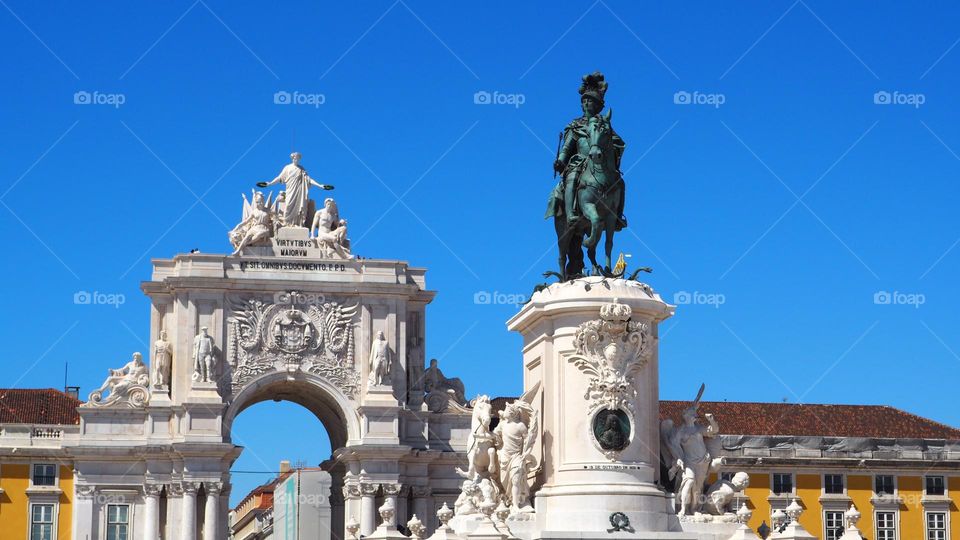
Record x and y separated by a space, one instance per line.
876 421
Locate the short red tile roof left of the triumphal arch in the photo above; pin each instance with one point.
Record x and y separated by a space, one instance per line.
37 406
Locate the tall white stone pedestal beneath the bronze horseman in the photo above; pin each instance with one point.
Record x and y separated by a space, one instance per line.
591 346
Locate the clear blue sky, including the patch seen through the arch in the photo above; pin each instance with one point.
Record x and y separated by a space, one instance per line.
783 211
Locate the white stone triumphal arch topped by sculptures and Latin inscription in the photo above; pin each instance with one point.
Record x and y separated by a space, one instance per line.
295 316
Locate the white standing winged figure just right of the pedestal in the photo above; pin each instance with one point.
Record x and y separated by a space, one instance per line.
688 454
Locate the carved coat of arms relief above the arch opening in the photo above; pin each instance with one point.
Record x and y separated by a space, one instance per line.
296 331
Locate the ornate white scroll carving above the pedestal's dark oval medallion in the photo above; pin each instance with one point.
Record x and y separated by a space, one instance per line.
611 350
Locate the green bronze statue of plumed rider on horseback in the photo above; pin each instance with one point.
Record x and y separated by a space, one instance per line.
589 199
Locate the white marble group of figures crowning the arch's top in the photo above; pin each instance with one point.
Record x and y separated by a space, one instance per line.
263 217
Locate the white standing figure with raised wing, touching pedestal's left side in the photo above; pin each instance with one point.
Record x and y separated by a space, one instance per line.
516 434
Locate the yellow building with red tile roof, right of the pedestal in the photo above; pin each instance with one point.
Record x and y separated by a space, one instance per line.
901 471
